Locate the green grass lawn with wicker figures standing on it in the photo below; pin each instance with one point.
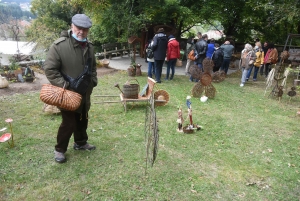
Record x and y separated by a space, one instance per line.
248 148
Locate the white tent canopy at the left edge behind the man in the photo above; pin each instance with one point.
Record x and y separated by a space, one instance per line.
11 47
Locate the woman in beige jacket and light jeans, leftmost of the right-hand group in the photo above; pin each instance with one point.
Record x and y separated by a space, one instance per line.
248 58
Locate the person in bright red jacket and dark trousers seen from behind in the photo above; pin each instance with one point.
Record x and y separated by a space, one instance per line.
173 53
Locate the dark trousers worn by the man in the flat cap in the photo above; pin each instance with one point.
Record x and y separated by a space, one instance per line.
72 122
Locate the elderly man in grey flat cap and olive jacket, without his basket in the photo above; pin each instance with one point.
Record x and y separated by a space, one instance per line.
70 56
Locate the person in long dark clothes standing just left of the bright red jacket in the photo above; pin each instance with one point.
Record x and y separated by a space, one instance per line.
159 47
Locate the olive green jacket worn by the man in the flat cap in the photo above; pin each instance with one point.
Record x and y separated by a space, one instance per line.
67 56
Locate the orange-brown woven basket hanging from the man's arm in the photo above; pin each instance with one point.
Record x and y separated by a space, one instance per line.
60 97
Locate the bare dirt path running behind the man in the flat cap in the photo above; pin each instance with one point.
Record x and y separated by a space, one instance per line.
41 79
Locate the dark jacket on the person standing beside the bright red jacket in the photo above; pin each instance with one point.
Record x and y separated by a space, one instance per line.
159 47
